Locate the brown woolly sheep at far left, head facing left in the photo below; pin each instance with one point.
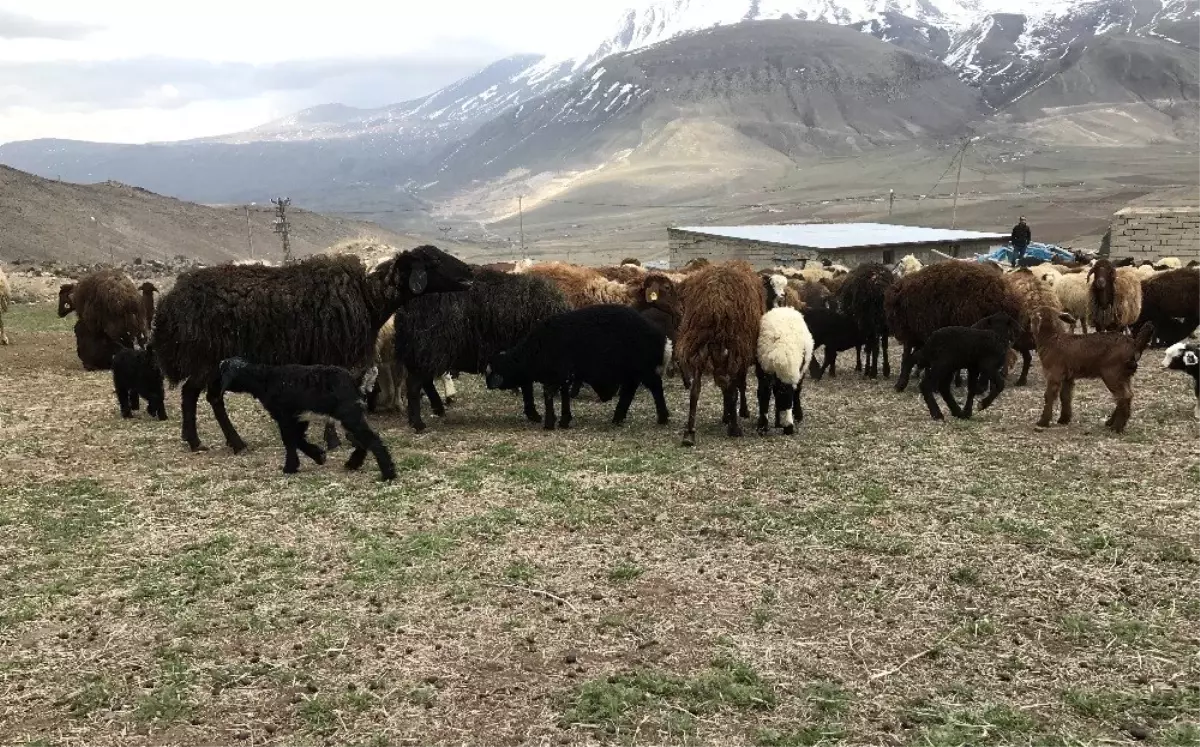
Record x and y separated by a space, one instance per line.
109 303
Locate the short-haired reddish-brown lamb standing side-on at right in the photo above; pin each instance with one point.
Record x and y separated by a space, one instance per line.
1065 358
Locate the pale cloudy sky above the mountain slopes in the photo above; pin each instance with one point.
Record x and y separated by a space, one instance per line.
145 70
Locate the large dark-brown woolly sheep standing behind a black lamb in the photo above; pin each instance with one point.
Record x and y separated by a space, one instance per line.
943 295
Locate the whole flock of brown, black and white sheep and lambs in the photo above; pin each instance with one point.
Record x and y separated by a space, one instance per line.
328 338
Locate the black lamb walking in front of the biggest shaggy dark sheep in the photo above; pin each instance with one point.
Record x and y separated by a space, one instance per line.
293 393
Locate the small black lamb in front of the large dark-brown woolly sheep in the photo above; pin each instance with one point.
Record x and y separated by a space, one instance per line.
982 350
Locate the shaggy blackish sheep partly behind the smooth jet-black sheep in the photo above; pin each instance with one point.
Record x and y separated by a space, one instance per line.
464 332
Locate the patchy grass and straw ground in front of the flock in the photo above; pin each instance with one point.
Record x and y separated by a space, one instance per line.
878 579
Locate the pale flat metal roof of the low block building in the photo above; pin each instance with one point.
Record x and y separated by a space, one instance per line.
843 236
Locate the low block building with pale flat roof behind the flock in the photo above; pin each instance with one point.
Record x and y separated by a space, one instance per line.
848 244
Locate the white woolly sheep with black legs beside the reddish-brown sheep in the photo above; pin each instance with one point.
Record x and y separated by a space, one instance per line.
785 350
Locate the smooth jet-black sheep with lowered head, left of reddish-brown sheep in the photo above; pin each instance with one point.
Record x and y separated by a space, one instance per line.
609 348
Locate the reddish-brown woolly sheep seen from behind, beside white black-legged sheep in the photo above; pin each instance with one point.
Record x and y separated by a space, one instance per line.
723 306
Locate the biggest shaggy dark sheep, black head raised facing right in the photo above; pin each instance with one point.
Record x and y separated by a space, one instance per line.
321 310
